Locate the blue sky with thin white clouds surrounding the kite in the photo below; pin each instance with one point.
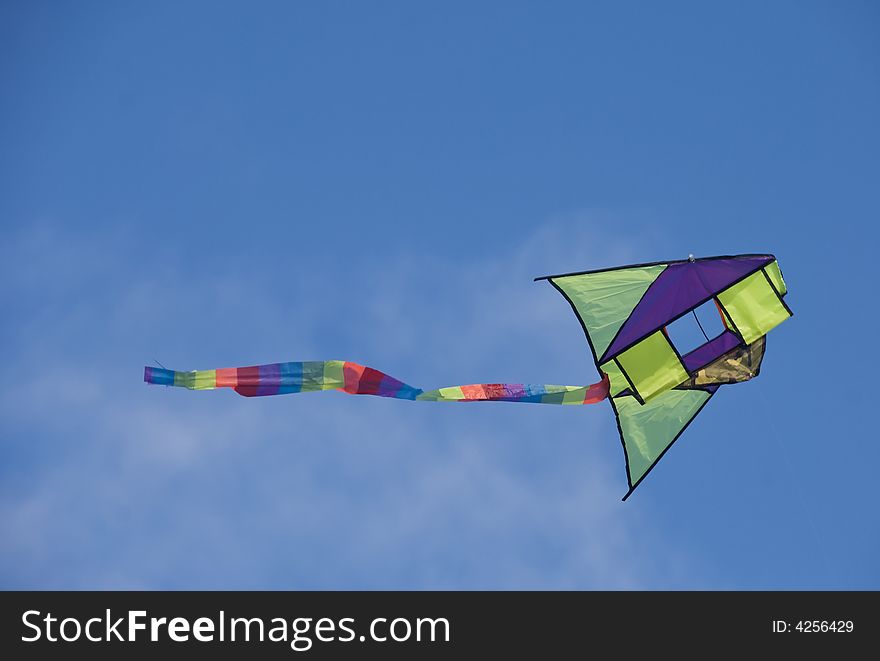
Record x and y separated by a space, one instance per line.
217 184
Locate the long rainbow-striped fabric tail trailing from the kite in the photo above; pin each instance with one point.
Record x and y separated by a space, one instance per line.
311 376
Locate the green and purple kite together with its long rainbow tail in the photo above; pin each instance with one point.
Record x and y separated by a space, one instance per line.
656 388
